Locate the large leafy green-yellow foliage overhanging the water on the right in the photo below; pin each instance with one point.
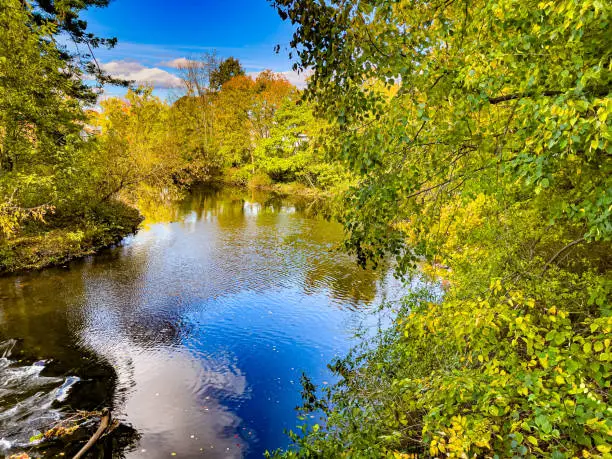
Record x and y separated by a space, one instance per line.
480 133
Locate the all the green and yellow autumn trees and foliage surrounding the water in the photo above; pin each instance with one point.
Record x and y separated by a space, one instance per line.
467 141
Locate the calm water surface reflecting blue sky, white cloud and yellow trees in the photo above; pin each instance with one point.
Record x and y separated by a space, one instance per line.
197 329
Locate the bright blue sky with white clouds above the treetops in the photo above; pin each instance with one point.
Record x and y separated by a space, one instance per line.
153 34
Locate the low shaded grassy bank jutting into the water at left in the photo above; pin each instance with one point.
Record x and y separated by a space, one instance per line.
65 238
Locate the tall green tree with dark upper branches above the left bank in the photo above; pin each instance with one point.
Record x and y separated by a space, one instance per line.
42 96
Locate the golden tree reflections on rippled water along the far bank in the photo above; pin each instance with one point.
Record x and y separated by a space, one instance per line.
268 233
